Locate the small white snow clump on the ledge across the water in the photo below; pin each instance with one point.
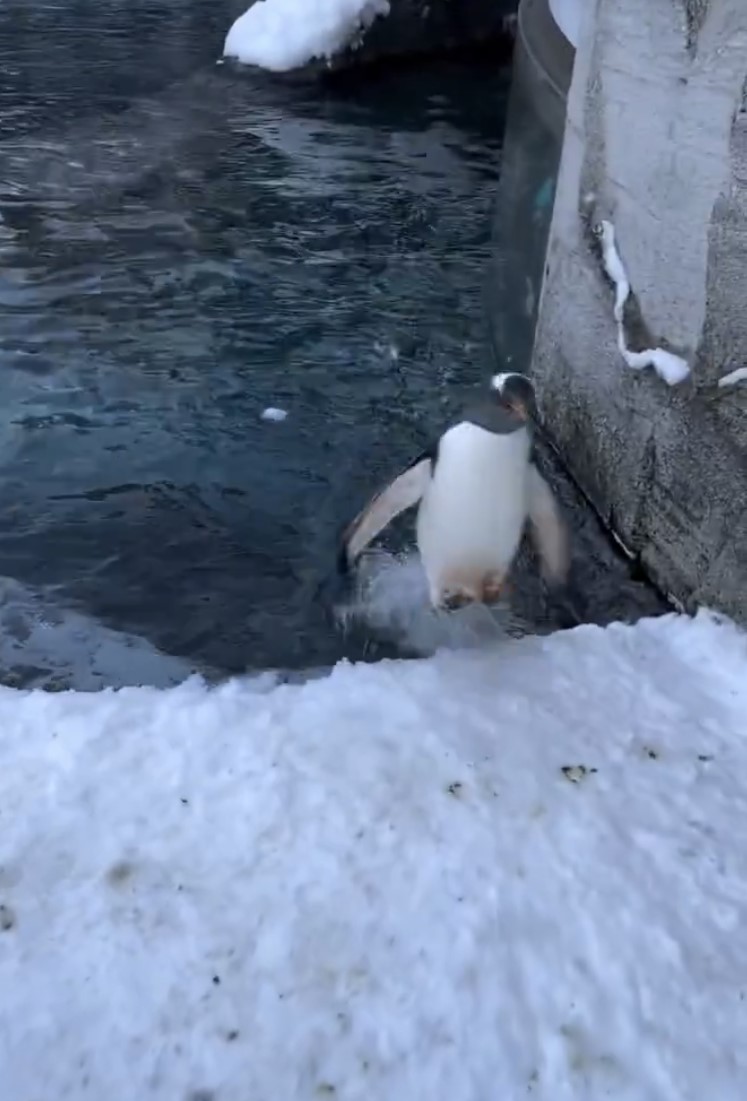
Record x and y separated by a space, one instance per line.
286 35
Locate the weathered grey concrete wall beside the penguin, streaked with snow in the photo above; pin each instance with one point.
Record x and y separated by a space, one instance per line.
656 141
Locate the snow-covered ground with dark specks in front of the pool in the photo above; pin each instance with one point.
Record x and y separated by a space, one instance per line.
496 874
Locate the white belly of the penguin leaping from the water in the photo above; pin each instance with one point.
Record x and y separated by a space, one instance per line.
473 514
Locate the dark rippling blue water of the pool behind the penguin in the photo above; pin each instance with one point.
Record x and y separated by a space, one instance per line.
185 245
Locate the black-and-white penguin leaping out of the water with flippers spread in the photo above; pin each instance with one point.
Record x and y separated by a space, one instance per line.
477 488
